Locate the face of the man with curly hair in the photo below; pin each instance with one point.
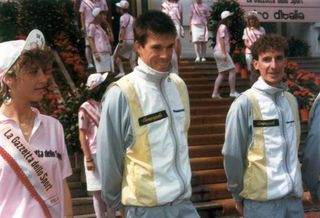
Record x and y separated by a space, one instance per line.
271 66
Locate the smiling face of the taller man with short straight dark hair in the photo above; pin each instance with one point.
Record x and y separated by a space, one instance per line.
157 51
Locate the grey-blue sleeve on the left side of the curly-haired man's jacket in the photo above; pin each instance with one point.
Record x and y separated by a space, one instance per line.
238 136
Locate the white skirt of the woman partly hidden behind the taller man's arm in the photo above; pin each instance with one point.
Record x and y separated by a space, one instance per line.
92 177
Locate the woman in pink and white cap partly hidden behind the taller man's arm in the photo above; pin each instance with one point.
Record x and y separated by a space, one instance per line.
89 116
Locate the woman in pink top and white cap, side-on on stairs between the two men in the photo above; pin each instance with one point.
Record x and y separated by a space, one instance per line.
222 57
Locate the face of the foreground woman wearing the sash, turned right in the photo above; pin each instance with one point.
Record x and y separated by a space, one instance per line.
30 85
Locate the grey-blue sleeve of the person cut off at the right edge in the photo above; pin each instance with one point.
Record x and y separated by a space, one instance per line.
311 154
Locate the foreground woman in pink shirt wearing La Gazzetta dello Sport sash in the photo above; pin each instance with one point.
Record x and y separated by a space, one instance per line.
34 162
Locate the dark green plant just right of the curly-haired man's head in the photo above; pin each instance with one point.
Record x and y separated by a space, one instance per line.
297 48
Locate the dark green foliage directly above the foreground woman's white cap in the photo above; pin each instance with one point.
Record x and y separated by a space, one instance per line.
50 16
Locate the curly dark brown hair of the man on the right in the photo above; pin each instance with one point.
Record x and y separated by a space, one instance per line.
268 42
